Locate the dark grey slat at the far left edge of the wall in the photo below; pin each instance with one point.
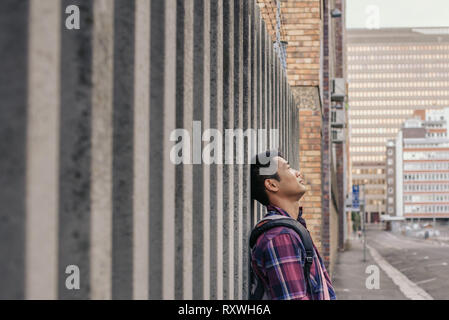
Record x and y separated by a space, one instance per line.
13 130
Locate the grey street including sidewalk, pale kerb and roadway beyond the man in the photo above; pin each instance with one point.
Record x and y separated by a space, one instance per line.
406 265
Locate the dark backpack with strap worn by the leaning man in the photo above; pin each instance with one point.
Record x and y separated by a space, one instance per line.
257 291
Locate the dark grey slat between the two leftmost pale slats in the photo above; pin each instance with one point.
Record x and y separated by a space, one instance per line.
75 151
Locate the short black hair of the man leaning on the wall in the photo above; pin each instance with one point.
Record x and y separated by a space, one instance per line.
258 191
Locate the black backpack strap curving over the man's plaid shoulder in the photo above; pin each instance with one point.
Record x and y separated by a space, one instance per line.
303 233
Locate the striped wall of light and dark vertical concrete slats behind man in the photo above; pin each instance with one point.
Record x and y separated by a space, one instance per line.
86 118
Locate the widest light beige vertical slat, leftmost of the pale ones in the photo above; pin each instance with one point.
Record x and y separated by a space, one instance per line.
42 154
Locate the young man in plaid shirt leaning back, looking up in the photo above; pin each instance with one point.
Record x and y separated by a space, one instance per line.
278 257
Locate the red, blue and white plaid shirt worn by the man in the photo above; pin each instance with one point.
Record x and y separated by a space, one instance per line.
278 260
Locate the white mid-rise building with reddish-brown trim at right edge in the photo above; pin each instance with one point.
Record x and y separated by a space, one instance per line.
418 167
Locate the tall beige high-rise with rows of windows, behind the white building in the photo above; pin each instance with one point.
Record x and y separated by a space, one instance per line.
391 73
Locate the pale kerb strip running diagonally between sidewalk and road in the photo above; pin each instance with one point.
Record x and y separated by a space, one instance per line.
408 288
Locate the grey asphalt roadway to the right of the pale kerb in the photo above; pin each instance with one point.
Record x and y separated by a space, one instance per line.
424 262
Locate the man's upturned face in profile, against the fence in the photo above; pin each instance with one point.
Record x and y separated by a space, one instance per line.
292 182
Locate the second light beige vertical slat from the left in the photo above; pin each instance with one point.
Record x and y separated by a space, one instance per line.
102 134
